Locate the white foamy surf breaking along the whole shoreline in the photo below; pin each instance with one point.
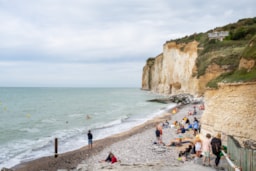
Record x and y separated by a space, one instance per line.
69 139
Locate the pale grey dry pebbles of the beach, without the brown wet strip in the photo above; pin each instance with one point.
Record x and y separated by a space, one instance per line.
139 152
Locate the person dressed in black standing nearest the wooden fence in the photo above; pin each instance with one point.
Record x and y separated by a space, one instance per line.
216 148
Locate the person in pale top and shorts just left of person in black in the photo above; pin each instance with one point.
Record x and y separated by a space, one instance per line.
206 149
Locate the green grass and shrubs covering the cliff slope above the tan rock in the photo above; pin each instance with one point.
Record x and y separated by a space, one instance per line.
240 43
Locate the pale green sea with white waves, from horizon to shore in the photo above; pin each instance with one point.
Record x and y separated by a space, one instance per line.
31 118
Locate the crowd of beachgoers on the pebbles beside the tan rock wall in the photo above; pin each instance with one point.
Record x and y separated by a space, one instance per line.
198 147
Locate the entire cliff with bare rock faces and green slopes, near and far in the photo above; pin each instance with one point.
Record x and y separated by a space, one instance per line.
220 65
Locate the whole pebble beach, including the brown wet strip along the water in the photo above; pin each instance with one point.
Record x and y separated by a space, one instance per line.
134 149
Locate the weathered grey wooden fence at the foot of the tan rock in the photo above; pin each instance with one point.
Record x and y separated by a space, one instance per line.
241 157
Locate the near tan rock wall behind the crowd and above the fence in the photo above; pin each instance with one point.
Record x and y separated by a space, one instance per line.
231 110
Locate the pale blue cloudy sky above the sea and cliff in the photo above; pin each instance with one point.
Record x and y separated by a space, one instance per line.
98 43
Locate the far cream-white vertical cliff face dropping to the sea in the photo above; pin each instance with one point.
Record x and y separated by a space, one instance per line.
173 71
